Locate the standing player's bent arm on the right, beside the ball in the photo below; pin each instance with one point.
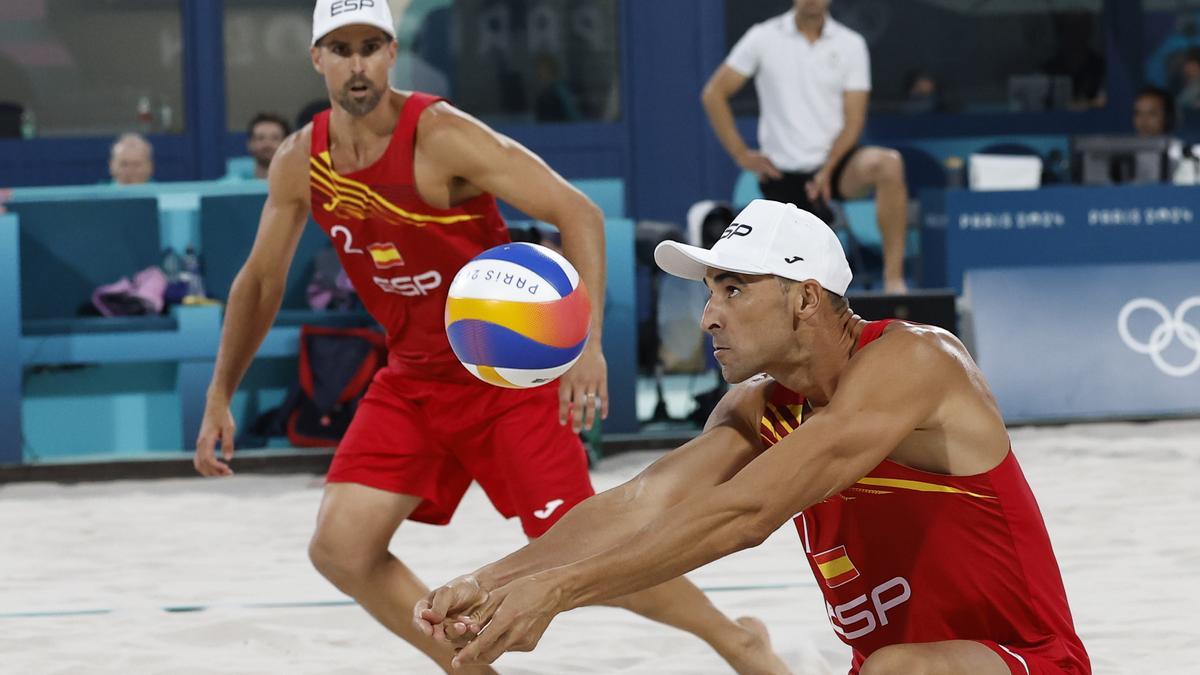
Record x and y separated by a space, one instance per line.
459 158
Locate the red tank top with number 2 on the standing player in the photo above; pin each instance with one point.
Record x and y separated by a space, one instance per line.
400 253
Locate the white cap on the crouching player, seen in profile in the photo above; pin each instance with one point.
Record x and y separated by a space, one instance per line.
766 238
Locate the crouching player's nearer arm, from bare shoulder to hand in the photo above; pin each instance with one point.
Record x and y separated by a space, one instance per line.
839 445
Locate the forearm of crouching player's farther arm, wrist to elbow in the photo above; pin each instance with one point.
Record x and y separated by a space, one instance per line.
595 525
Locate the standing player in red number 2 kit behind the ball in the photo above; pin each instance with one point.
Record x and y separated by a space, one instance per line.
406 187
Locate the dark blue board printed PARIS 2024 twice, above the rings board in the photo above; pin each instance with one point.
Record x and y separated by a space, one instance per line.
1069 225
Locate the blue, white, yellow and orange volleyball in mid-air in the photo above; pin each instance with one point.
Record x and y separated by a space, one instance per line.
518 316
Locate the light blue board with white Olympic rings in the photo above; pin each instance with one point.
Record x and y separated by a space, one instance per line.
1089 342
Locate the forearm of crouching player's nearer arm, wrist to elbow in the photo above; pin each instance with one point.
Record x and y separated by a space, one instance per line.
693 534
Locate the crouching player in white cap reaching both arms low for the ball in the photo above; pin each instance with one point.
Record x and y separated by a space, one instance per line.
879 440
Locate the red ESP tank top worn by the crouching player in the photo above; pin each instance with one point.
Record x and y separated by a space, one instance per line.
909 557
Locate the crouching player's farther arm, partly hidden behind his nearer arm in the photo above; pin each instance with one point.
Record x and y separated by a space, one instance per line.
728 445
